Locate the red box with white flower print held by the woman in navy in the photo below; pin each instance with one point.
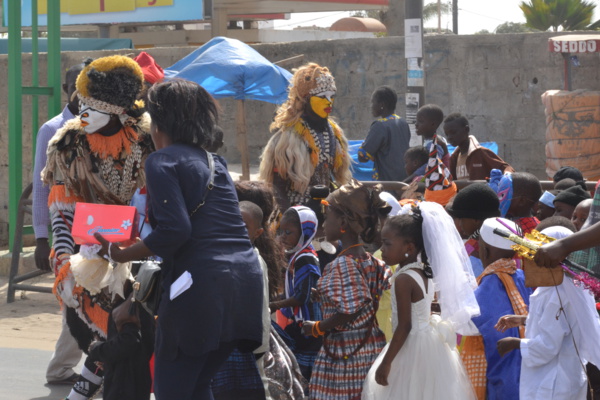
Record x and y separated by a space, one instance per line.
115 223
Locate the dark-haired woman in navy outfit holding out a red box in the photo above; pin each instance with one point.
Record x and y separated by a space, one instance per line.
197 229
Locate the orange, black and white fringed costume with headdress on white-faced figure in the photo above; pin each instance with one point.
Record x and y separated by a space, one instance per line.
93 168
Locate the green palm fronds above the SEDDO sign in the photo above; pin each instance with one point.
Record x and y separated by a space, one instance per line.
570 15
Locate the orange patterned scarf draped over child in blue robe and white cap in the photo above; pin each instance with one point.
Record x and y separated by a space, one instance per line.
473 353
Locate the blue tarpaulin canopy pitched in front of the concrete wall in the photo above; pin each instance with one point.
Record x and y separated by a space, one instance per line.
229 68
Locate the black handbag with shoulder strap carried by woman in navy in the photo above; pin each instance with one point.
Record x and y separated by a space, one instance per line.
146 288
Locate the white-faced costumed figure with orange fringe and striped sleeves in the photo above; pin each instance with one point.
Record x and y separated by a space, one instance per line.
97 157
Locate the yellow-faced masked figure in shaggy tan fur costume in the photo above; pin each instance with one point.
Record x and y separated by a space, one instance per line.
307 147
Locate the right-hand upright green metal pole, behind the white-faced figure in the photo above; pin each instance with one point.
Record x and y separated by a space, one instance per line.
54 74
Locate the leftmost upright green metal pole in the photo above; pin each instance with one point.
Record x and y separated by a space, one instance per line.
15 118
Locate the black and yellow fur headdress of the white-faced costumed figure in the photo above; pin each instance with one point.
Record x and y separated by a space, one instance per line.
110 84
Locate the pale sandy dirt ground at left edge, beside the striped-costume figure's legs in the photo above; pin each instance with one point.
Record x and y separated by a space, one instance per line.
33 320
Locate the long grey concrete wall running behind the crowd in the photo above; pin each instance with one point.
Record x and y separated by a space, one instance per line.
495 80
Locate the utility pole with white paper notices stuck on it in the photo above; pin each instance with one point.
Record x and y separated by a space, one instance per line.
415 68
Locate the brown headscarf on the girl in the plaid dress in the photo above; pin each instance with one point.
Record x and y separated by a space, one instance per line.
361 206
